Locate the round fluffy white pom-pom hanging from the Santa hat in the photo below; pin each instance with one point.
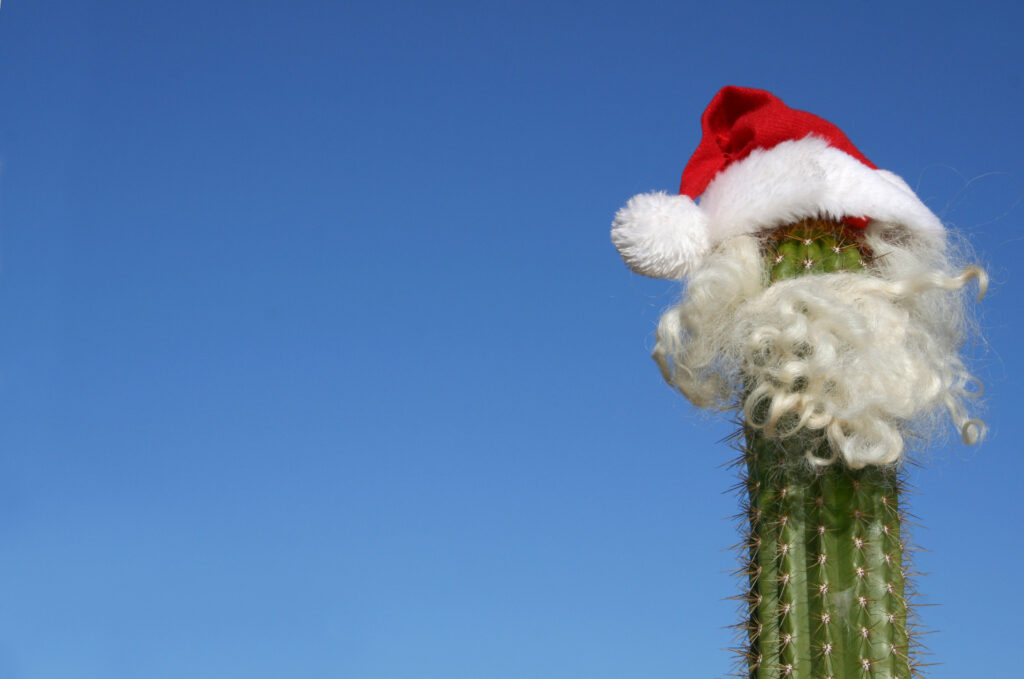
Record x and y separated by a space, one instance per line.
661 236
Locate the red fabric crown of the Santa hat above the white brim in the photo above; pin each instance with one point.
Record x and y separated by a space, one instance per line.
740 120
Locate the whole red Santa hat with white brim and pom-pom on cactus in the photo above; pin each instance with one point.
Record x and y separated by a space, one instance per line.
760 165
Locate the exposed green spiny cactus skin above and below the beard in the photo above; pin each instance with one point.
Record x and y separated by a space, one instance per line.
825 557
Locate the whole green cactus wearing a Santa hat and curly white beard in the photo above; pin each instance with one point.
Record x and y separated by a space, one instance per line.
825 308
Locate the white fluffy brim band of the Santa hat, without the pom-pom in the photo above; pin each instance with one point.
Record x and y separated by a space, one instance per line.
804 179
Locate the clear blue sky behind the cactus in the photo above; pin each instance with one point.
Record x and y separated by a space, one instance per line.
317 360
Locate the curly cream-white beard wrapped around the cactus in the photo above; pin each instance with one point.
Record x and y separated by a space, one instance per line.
866 360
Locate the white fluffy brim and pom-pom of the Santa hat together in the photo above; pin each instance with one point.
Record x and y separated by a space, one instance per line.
667 237
